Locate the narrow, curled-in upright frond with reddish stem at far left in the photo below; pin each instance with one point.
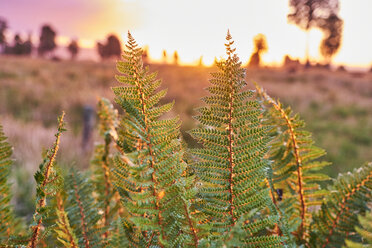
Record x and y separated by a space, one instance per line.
48 183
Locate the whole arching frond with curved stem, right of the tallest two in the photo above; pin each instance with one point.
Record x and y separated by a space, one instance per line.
296 165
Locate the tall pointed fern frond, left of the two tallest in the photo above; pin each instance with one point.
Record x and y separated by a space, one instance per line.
150 178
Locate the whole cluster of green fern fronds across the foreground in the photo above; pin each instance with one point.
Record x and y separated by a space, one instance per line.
255 181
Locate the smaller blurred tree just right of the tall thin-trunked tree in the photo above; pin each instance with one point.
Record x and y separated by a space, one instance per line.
332 29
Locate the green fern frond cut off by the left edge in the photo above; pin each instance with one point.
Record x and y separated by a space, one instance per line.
8 224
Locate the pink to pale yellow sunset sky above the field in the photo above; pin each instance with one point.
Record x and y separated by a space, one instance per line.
193 27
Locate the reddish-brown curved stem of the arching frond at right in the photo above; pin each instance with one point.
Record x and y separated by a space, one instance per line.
297 155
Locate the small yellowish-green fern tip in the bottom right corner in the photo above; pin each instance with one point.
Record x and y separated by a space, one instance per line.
365 231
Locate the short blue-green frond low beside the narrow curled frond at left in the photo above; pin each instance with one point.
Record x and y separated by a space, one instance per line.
82 211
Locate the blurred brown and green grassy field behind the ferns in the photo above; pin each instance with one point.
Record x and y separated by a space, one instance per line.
335 105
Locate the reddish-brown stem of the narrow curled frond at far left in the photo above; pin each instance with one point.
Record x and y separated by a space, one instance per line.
42 202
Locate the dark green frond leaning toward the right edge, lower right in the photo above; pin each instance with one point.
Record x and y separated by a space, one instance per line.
337 218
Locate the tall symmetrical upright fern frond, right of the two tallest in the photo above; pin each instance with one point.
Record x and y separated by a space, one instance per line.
231 164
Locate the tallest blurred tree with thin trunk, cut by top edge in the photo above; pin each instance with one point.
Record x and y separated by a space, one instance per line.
311 13
